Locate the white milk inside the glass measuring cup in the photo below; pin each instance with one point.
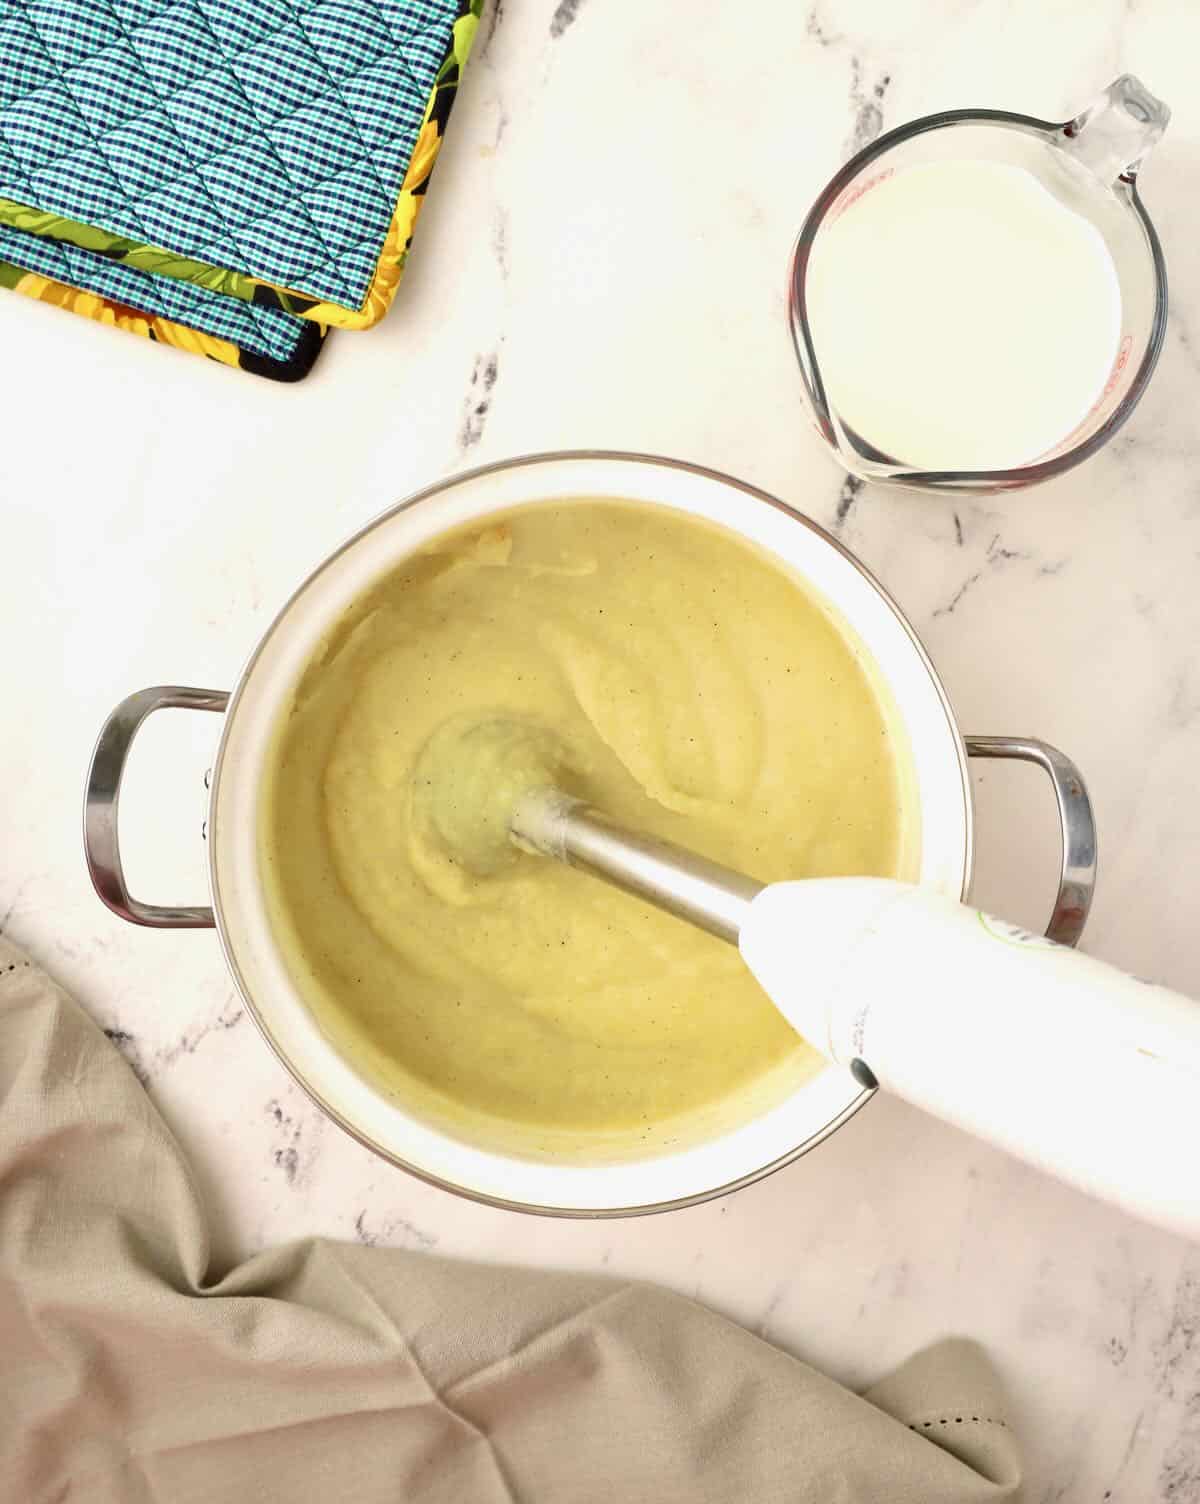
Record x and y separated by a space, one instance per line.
962 317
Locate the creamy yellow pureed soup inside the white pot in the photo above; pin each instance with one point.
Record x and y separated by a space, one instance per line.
698 693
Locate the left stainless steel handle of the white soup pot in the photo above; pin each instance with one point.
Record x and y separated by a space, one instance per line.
100 805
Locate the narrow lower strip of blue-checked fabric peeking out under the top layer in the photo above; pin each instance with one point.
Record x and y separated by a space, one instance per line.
264 332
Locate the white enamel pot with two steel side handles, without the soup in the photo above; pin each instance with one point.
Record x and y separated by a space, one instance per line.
238 912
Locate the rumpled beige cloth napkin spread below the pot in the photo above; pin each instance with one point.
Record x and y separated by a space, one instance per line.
356 1375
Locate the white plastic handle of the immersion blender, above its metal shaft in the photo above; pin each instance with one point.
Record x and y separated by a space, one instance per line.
1055 1057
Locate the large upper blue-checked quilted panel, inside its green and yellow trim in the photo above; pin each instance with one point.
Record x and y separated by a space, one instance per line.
265 136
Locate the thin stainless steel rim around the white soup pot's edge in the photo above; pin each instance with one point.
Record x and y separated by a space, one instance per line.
229 951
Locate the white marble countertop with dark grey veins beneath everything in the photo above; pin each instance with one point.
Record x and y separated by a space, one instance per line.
602 264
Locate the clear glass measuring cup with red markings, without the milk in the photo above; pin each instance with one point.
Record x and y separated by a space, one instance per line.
1089 165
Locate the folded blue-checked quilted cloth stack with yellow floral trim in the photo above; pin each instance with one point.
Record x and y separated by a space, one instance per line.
244 171
